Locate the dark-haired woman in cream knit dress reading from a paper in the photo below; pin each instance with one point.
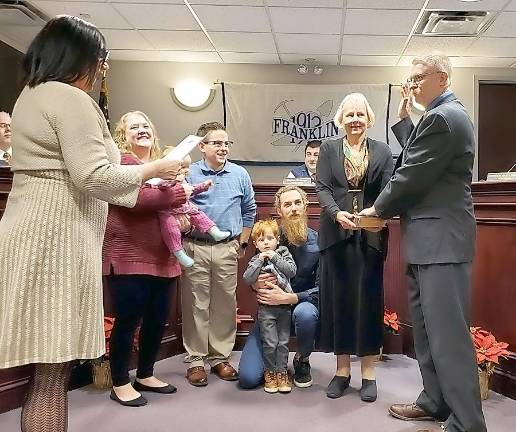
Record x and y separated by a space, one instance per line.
66 170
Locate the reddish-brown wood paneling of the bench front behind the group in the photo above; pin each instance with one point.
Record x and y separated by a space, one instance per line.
493 294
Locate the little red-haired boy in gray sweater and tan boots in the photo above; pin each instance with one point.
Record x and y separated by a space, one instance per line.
274 321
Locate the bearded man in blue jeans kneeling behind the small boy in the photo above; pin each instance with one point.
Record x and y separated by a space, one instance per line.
291 204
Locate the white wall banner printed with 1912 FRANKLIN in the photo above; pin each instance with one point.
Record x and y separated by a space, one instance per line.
273 122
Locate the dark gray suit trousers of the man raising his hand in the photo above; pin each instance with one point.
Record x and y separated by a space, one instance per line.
439 296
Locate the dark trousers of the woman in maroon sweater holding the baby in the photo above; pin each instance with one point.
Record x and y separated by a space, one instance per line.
137 298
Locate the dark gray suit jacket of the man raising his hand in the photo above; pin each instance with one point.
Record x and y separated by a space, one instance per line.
431 190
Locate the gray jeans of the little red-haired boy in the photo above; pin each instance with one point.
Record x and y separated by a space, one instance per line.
274 322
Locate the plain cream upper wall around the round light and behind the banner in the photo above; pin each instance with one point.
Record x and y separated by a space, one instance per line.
146 86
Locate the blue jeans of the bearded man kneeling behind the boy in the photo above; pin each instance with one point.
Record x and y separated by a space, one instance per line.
251 367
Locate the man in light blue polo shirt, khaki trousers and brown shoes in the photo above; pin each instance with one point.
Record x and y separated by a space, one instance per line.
209 286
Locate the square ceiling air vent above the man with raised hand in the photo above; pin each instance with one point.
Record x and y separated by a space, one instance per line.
451 23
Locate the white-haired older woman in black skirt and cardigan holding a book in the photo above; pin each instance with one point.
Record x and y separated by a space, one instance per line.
351 172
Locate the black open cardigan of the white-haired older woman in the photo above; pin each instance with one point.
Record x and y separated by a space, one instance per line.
333 194
